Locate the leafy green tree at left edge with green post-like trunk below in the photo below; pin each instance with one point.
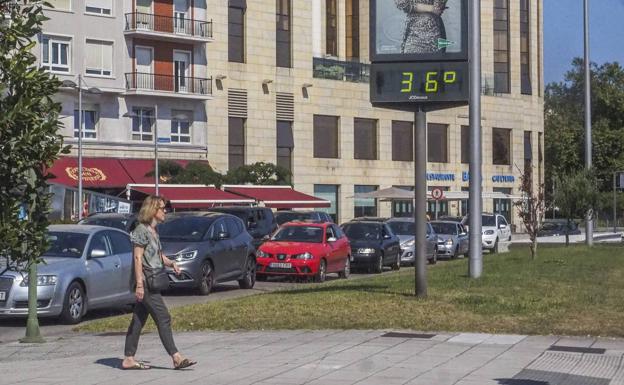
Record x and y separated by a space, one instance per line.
29 142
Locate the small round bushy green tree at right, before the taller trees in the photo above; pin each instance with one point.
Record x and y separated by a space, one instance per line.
576 196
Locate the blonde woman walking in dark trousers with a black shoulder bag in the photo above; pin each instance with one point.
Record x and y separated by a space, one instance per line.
148 266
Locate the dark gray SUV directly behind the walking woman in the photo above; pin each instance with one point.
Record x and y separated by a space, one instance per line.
209 248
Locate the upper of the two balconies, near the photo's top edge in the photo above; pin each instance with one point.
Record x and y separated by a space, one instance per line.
151 26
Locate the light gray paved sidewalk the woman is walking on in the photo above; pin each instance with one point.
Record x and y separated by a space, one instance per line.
323 358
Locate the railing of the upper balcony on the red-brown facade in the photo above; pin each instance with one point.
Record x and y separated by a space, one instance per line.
167 24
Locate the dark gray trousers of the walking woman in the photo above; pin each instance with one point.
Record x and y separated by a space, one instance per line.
153 305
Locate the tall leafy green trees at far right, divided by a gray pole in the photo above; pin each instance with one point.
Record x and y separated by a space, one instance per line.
564 144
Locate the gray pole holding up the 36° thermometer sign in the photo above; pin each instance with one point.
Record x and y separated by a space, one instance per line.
420 200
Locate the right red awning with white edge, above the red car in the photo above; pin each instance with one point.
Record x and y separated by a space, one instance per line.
278 197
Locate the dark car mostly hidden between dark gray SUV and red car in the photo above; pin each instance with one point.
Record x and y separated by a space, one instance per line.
259 221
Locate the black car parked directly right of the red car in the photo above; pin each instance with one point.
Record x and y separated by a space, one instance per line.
373 245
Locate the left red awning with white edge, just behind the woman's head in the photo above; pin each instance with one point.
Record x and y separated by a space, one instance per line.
193 196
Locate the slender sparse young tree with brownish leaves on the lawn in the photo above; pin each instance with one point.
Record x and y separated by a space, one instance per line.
531 209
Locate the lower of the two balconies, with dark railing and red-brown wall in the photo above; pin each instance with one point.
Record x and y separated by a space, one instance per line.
139 83
